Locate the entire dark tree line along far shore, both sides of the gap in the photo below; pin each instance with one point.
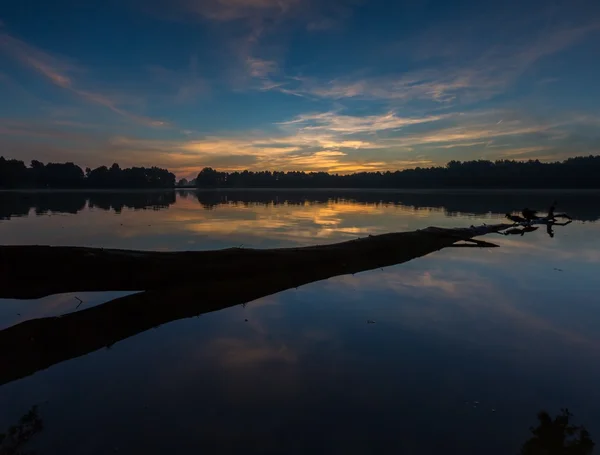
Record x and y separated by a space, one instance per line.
580 172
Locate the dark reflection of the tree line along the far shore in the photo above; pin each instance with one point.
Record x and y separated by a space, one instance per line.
581 205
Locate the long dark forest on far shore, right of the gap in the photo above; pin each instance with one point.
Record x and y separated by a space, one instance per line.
581 172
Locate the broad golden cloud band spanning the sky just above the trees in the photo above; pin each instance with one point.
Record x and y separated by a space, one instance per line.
328 141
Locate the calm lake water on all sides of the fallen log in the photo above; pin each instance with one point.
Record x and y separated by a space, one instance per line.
515 328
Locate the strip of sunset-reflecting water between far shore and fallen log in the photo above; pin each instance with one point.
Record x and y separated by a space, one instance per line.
177 220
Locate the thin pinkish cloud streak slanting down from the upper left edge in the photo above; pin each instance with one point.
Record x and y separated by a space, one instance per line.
59 71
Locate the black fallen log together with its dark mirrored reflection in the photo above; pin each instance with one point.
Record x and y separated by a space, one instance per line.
176 285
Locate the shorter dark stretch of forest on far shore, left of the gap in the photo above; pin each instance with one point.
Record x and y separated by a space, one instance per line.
15 174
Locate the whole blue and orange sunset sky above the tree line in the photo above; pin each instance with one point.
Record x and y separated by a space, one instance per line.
312 85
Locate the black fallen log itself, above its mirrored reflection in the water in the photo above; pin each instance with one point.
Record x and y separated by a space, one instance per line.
29 272
